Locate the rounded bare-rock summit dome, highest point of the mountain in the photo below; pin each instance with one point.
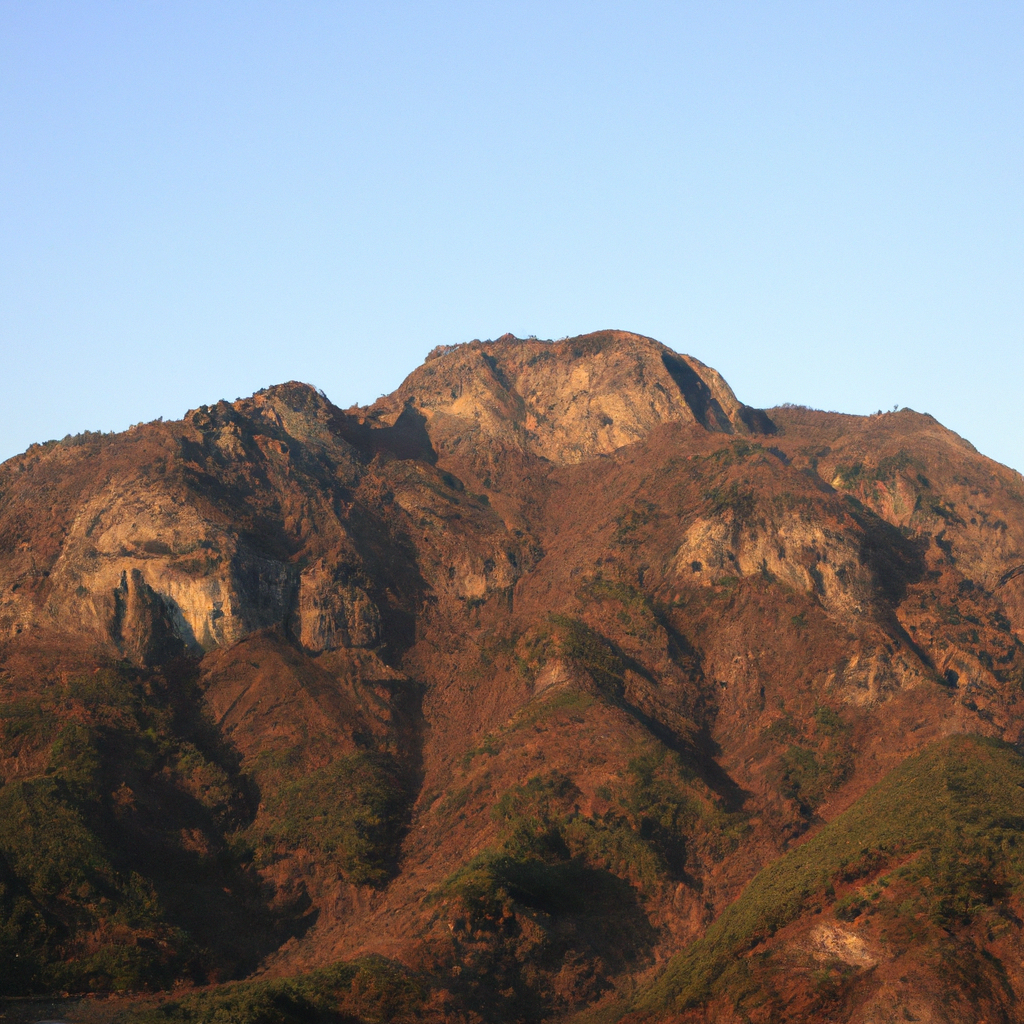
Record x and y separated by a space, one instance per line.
567 401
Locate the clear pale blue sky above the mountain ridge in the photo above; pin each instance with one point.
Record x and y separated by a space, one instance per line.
824 201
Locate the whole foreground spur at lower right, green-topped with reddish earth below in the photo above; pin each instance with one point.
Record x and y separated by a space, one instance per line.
907 905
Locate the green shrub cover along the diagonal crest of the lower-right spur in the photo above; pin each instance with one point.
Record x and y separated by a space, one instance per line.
960 805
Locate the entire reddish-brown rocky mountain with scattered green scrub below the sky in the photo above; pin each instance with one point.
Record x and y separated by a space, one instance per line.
559 684
